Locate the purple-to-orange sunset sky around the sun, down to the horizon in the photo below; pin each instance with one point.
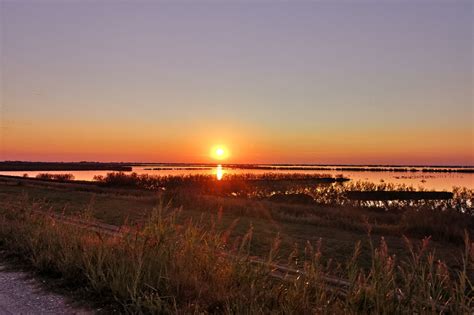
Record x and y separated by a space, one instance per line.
335 82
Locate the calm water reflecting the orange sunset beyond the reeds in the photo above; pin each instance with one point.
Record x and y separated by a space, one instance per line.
431 181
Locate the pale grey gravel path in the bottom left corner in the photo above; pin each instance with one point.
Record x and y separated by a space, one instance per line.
22 294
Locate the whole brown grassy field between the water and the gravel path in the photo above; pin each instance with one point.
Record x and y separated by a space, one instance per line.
203 218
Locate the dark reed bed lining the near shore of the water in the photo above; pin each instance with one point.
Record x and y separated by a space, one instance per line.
324 189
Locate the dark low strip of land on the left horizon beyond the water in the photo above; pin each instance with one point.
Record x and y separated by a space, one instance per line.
62 166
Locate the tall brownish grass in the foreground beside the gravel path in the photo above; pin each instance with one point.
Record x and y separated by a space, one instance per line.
165 267
